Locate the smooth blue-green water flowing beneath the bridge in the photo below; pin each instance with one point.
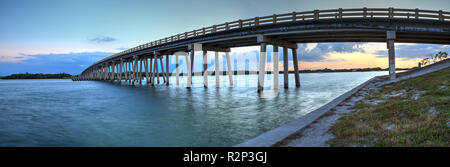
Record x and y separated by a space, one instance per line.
59 112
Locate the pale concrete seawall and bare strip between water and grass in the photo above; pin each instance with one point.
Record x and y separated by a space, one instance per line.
311 129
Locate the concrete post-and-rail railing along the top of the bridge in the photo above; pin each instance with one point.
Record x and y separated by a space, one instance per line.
299 16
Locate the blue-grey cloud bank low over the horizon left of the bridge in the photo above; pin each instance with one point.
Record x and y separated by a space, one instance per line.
72 63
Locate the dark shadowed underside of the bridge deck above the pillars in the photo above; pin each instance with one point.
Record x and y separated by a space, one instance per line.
348 30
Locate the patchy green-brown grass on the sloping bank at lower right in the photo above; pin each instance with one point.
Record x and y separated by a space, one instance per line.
400 120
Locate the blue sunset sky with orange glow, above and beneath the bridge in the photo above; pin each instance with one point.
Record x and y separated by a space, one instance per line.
53 36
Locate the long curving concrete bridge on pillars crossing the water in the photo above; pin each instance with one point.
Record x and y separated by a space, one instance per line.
388 25
